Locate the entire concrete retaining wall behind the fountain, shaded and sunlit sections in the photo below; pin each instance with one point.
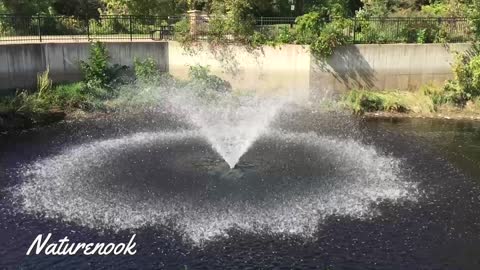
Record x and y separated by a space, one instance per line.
282 69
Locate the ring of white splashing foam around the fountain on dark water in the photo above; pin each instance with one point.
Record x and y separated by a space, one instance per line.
64 187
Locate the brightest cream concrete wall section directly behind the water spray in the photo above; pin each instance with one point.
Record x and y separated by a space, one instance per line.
270 69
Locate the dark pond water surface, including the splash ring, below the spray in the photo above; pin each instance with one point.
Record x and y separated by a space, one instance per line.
317 192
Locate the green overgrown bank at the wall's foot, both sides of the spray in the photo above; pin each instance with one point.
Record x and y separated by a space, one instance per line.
110 88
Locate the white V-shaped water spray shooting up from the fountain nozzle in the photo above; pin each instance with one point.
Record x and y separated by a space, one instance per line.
230 123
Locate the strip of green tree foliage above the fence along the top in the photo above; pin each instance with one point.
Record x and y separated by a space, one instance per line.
327 8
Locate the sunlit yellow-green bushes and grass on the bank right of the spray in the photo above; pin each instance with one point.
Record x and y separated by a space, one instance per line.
457 98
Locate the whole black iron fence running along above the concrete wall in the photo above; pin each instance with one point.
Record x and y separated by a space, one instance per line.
372 30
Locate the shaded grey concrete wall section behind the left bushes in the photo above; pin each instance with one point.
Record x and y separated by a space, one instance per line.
20 63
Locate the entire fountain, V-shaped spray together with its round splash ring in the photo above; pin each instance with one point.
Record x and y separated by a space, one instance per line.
286 182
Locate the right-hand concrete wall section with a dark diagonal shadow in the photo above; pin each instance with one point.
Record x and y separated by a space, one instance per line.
386 66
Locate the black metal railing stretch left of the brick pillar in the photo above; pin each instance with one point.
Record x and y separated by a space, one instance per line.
51 28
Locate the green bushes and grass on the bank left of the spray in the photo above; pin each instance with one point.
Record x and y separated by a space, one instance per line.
106 88
